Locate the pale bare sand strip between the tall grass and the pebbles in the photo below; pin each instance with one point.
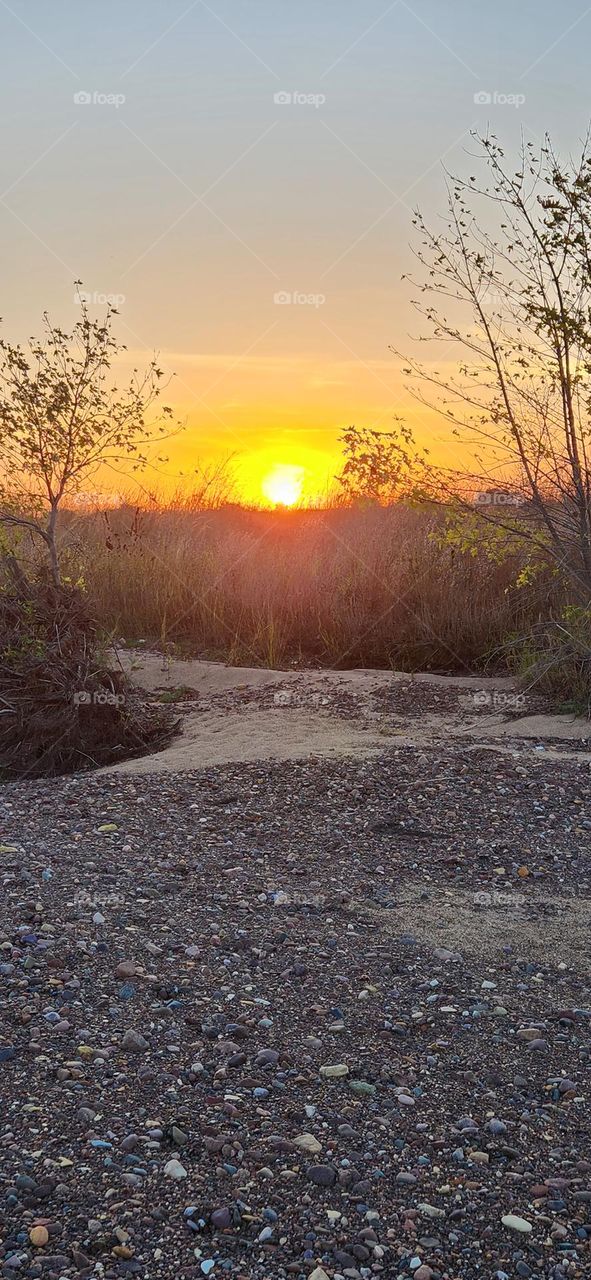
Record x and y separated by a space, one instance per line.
246 715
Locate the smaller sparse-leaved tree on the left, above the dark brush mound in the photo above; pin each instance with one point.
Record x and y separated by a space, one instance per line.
62 417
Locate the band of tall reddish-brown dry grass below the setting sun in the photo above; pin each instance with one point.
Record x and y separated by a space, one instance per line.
341 588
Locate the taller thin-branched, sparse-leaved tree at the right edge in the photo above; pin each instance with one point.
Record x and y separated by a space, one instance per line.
514 316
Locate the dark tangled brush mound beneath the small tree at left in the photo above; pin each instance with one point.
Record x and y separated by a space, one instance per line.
61 707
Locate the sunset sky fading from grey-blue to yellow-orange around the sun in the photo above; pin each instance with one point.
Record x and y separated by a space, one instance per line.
240 176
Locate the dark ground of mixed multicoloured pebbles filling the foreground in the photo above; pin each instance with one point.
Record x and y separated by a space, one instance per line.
301 1020
